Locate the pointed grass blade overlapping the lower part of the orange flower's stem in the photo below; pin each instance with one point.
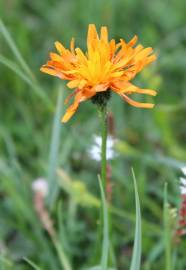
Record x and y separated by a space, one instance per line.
105 243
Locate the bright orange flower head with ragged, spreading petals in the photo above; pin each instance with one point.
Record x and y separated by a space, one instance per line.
106 65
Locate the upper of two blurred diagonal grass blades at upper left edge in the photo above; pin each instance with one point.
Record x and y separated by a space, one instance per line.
15 50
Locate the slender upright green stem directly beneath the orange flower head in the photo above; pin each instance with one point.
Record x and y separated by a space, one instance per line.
104 145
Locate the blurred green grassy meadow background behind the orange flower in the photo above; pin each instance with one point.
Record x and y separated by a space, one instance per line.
35 144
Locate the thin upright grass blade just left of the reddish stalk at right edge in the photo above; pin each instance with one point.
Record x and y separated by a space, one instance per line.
167 231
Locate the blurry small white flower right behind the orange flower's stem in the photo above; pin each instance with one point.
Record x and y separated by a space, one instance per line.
95 150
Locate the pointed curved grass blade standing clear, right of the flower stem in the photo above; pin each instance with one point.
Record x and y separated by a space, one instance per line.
136 256
